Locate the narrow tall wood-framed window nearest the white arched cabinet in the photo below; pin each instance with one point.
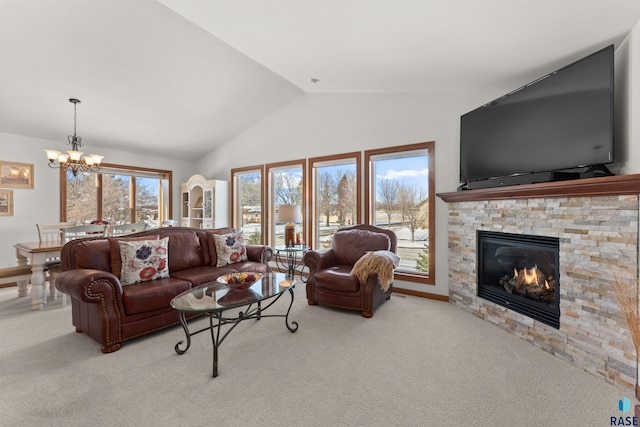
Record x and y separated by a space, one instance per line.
247 206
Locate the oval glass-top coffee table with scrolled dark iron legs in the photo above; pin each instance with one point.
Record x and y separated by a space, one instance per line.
218 302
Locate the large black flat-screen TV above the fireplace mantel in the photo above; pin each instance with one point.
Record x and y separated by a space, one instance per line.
557 127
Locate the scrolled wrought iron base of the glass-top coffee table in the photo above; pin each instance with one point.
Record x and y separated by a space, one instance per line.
253 311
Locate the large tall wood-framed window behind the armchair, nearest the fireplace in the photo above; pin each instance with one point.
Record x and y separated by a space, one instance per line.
400 196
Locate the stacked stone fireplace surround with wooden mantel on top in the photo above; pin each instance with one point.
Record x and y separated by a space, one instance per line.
595 224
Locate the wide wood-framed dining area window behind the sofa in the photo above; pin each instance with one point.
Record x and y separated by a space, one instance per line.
118 194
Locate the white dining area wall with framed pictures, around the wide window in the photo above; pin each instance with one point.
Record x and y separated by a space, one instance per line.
42 203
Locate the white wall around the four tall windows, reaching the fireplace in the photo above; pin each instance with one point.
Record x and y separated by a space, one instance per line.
317 125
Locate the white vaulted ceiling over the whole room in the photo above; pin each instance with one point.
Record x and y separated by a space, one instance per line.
178 77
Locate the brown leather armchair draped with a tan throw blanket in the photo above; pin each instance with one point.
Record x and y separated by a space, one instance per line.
330 281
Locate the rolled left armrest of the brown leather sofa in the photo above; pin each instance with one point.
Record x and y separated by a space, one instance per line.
91 286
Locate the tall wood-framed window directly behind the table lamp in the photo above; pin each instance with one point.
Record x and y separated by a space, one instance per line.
286 188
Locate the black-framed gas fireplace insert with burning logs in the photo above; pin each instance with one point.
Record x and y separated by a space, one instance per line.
520 272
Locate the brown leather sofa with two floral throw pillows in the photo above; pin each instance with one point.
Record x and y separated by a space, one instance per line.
111 313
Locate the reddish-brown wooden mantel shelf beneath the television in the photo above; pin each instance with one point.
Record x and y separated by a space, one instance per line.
588 187
